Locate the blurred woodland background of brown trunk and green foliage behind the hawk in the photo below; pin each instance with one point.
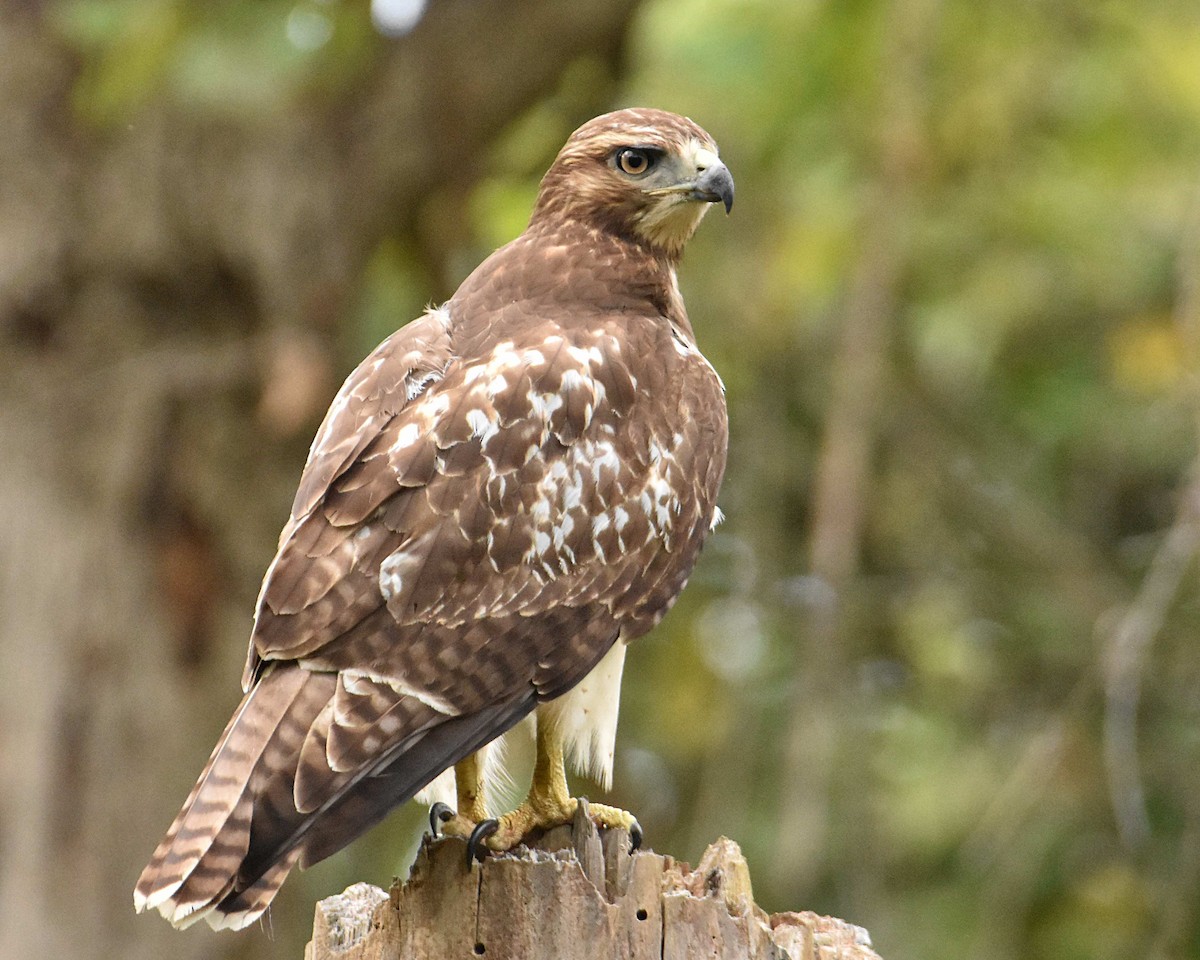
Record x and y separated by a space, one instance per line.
938 673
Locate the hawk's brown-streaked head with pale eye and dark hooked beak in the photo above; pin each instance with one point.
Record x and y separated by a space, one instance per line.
640 173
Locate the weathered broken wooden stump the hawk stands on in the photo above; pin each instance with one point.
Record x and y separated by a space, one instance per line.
574 896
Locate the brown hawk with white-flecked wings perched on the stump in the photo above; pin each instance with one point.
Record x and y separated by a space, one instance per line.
502 496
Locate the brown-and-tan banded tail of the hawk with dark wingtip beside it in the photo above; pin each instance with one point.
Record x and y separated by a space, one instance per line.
243 830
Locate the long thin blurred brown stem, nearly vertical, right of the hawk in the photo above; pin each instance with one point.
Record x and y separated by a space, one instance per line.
843 482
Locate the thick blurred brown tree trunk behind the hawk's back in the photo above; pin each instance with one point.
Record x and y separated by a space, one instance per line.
170 291
